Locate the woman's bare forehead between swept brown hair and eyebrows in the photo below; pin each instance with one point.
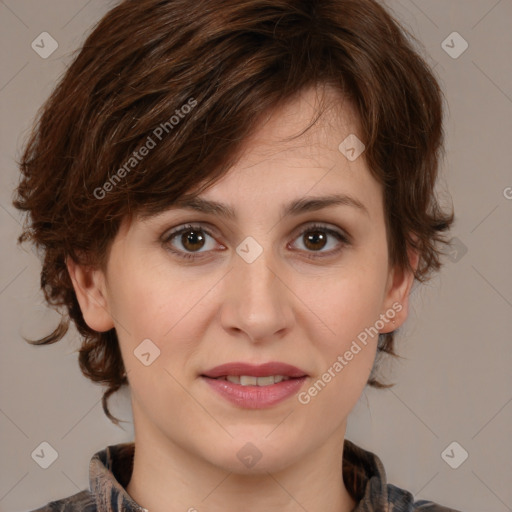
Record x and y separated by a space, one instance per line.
286 158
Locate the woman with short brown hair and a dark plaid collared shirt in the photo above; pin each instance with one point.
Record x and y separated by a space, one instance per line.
234 200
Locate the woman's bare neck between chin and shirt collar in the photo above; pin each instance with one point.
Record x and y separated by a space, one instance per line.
169 478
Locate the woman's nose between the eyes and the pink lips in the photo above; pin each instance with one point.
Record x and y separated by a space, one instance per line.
257 300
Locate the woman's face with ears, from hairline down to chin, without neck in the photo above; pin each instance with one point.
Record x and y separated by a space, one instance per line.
302 286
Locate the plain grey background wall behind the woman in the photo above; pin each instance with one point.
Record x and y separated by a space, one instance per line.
455 383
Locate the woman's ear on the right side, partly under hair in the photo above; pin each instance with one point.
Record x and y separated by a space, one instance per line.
399 286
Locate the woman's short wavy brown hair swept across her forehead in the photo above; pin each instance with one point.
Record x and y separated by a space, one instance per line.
230 62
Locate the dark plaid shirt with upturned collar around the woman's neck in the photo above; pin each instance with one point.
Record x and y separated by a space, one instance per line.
363 473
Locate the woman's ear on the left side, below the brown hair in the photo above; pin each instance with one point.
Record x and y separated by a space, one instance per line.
90 290
